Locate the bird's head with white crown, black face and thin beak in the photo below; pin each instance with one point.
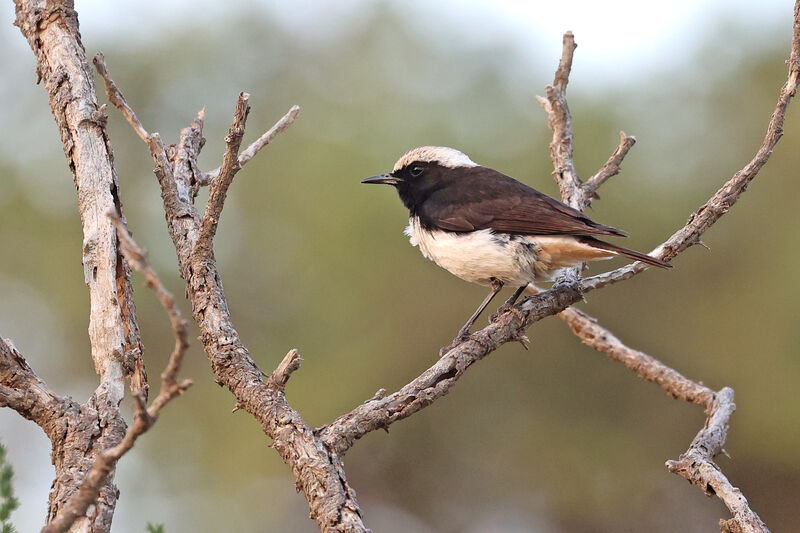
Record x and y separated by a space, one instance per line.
423 170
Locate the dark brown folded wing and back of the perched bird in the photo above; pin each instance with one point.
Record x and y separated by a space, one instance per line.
482 198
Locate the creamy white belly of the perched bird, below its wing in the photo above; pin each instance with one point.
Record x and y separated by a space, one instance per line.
478 256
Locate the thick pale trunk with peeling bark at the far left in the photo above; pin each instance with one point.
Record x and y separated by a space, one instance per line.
51 28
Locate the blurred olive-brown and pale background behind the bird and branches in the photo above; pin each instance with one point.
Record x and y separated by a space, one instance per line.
556 439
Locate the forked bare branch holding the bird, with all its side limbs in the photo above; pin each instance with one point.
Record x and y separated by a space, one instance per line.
314 456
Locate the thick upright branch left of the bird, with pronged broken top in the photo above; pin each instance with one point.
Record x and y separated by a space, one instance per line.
319 473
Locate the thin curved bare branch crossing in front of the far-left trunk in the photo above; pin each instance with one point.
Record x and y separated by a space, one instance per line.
144 417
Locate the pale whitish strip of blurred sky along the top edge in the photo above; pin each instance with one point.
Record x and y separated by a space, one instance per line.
635 34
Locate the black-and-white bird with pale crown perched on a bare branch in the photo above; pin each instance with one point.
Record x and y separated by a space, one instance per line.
487 228
